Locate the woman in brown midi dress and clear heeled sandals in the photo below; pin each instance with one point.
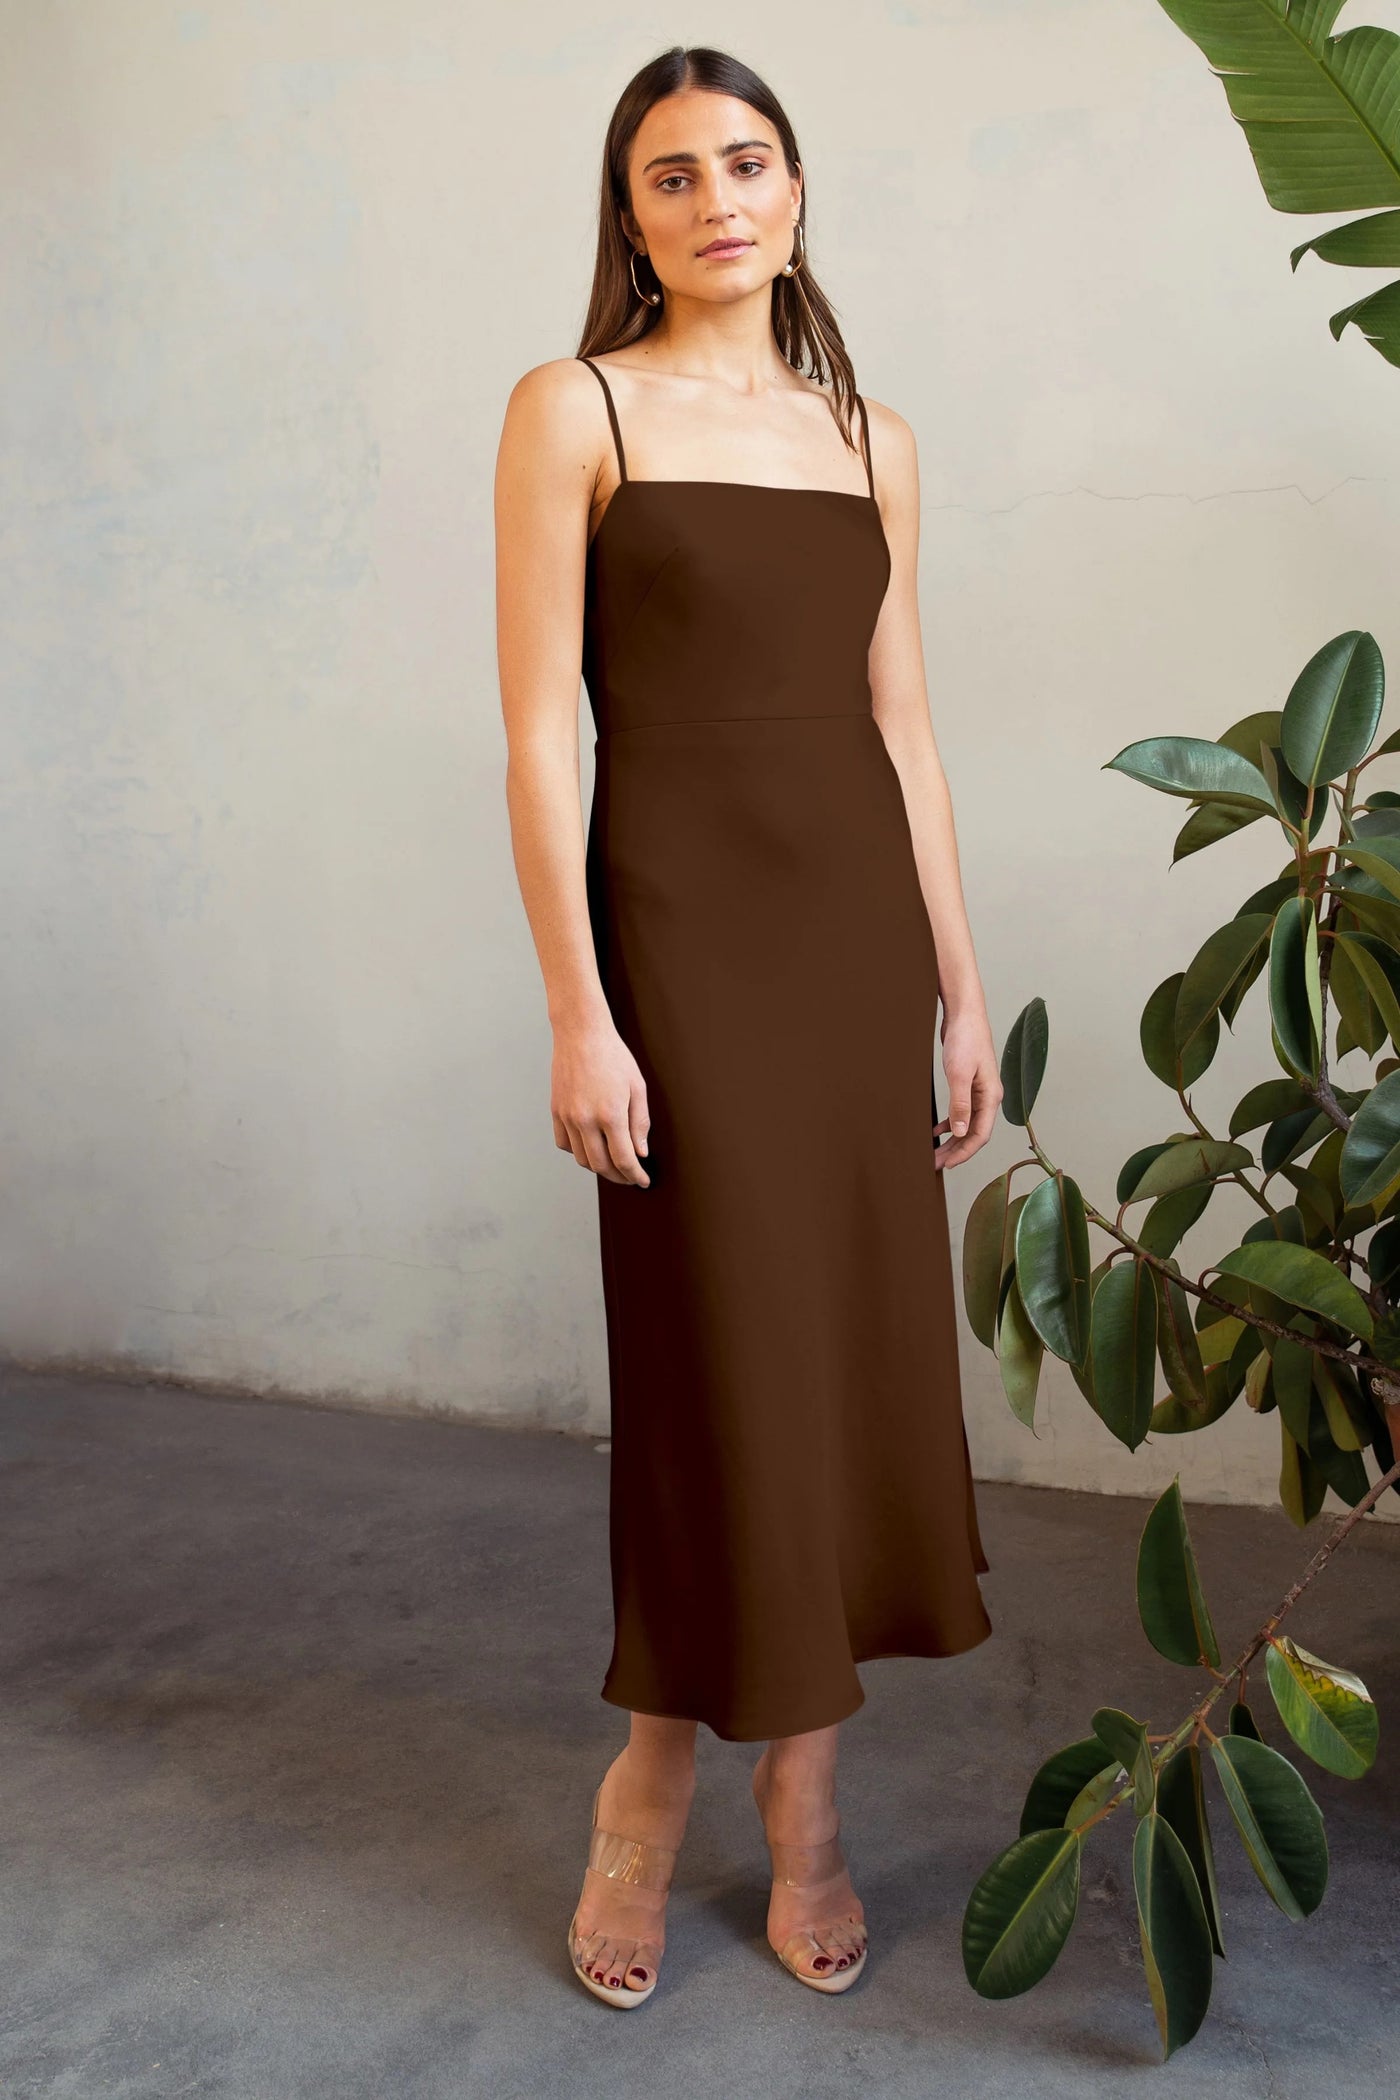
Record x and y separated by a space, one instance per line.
744 965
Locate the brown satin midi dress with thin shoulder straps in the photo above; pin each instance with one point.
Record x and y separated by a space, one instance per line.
790 1484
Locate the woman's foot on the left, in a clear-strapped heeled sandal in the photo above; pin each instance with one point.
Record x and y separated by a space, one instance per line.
620 1929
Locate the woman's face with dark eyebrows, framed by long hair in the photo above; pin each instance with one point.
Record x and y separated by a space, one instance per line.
713 201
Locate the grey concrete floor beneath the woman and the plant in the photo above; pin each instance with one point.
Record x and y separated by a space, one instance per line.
301 1727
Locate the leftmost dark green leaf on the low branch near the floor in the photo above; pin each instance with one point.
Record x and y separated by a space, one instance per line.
1021 1912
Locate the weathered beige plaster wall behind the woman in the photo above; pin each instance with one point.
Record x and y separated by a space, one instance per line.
276 1057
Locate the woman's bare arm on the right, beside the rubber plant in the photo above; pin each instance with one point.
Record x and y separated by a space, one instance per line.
901 709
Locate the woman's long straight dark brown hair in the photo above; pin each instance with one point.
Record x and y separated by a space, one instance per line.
803 318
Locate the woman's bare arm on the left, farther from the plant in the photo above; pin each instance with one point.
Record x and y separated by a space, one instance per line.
547 476
